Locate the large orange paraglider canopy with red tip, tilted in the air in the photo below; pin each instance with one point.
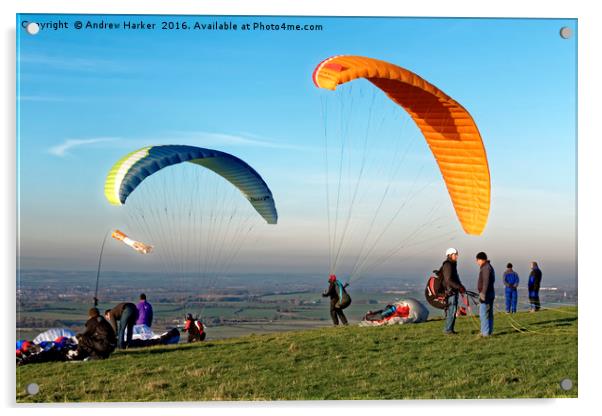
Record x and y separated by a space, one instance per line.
448 128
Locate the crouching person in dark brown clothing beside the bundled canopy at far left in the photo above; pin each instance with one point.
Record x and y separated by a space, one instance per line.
98 340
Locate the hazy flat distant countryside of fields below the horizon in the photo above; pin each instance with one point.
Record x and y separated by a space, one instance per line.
231 306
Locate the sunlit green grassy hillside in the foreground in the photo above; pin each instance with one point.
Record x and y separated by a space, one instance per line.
396 362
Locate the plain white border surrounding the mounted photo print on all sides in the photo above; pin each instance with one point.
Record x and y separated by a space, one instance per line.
589 27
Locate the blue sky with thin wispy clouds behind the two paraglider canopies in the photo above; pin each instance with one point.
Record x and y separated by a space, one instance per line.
87 97
